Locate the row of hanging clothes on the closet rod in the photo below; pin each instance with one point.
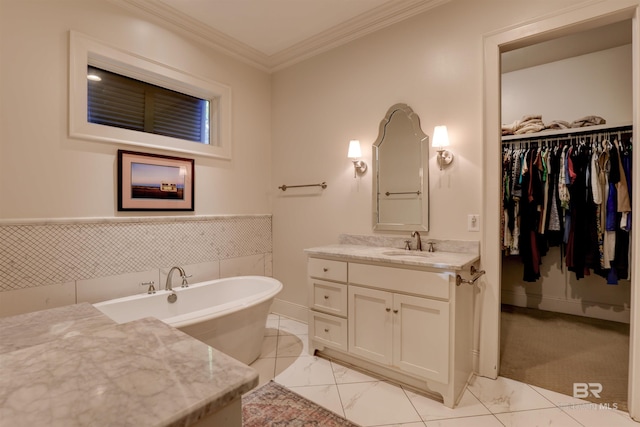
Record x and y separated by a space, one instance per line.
573 193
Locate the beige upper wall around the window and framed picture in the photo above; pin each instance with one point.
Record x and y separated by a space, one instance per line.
45 174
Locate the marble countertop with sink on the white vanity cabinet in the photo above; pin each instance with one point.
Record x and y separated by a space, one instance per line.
391 255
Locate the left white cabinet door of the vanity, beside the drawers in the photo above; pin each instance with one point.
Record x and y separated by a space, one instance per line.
370 324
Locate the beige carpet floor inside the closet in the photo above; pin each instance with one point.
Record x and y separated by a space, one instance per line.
554 351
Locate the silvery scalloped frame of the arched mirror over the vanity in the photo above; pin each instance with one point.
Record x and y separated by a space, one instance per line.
424 183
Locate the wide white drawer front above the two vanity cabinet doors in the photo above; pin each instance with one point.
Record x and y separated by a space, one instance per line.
424 283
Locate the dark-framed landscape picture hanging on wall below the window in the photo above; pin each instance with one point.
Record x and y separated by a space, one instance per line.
151 182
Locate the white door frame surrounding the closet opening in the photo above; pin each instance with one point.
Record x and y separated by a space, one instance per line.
593 14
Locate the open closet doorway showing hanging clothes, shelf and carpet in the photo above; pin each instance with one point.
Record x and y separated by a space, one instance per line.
567 103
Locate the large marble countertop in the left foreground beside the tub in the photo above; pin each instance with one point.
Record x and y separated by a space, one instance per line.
88 370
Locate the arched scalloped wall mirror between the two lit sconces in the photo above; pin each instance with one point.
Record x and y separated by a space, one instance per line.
401 172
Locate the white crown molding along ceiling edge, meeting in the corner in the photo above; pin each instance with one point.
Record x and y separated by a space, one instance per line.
380 17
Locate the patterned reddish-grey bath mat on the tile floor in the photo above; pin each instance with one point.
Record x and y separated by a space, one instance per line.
274 405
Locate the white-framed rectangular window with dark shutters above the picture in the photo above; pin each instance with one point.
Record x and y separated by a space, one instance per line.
119 97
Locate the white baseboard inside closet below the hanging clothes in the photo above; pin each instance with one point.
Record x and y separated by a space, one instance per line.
616 313
